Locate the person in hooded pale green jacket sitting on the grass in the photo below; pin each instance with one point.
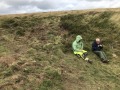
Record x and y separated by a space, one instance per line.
77 46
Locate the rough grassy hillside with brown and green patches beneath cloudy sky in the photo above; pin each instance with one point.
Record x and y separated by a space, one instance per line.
36 54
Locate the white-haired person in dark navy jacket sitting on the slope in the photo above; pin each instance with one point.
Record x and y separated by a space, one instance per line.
97 48
